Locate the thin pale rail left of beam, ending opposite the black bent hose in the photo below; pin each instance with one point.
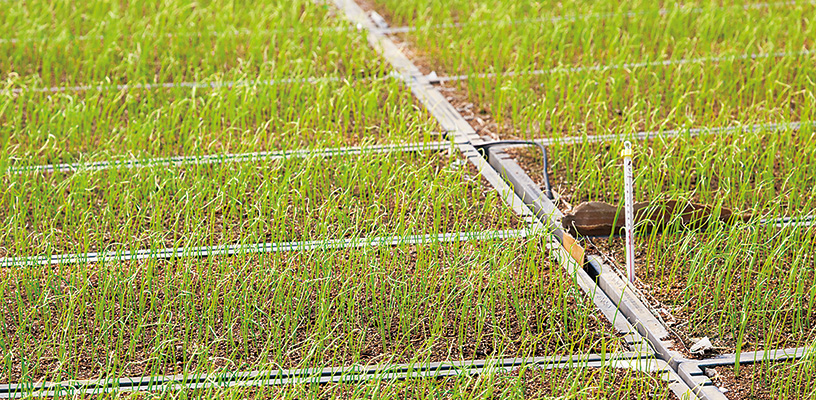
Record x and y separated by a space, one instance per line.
237 157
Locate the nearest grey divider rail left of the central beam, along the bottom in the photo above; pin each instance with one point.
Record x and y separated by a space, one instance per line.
349 374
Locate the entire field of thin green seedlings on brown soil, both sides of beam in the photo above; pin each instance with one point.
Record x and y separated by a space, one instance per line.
132 82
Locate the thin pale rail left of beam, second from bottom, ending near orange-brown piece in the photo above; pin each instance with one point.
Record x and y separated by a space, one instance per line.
272 247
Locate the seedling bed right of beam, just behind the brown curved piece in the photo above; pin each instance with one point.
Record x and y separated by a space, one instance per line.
764 173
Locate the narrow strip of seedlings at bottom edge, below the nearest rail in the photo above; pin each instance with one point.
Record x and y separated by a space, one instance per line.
584 383
